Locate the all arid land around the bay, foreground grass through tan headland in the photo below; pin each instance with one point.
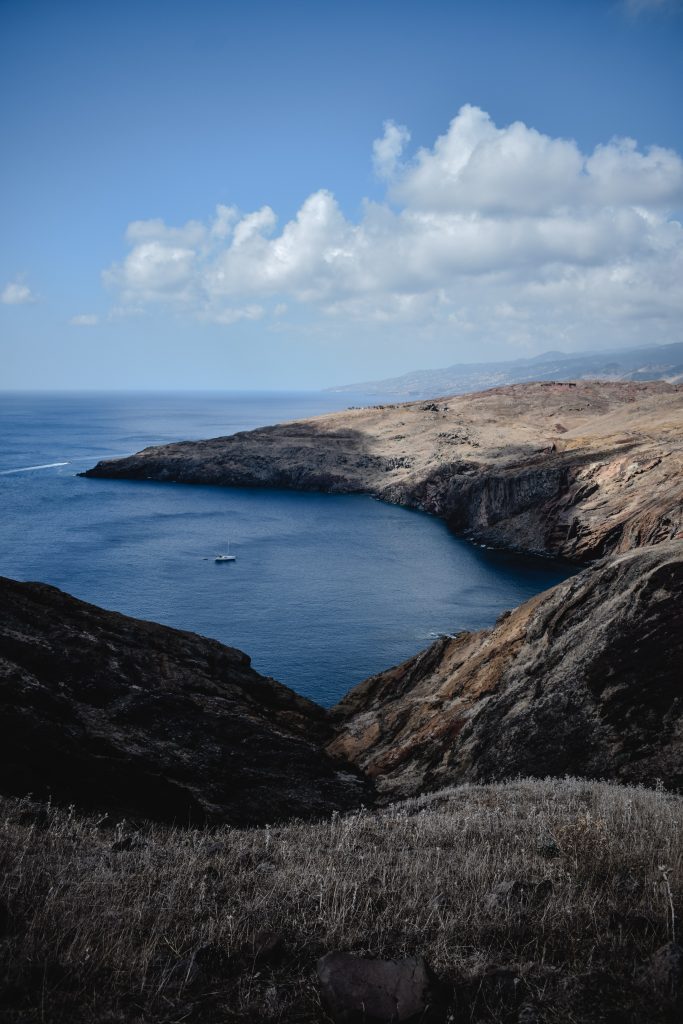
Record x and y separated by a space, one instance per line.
435 884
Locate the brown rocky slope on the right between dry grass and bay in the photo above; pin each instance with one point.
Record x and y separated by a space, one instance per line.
585 679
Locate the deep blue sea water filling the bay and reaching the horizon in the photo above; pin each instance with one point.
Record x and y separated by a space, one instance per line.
326 589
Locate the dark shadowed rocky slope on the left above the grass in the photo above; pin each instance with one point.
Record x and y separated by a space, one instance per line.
115 714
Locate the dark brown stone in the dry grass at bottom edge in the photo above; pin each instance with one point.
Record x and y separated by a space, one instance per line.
357 989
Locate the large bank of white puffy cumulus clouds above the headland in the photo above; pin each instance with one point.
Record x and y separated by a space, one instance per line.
502 233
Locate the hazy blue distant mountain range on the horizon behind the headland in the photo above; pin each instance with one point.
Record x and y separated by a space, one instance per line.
654 363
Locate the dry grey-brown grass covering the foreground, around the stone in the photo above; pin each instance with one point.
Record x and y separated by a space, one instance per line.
570 886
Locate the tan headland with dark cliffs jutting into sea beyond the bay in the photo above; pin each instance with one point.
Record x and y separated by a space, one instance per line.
574 471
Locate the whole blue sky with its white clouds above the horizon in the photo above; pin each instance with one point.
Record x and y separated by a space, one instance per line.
297 195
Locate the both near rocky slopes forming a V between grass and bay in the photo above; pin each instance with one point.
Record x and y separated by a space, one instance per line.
119 715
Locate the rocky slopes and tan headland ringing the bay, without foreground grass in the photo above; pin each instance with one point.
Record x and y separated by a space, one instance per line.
584 679
